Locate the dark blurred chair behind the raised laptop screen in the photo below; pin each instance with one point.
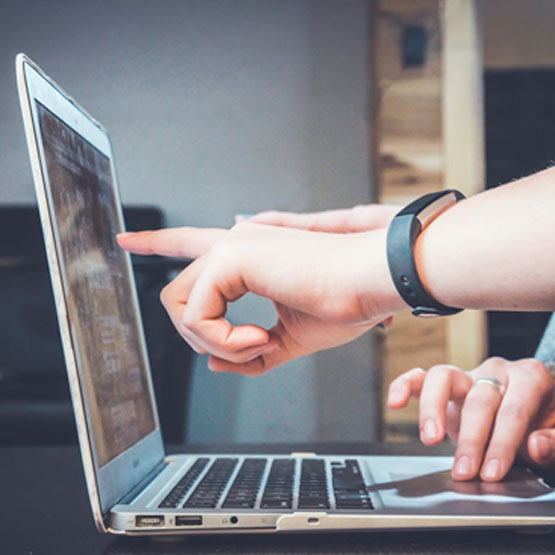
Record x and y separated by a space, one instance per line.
35 405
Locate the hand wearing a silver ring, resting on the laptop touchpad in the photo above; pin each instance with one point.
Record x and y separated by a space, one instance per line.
490 424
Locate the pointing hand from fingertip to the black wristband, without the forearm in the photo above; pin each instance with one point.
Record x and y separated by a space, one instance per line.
332 311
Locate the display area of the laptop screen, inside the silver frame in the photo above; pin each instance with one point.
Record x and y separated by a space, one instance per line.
97 288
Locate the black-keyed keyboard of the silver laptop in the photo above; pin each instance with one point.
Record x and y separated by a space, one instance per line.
280 490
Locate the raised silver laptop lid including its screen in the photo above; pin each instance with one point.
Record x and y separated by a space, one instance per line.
93 284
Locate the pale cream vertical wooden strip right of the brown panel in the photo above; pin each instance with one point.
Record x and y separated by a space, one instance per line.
463 124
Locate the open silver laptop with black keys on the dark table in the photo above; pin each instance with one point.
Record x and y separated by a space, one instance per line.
133 486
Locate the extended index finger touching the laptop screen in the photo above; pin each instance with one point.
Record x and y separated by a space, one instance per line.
183 242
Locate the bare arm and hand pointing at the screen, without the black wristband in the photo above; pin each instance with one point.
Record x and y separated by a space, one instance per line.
493 251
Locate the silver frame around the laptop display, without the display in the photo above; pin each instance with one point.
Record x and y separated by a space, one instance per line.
115 479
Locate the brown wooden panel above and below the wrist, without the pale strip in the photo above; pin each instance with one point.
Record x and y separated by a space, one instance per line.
408 162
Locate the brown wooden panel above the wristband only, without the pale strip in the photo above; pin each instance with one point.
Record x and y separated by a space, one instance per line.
407 119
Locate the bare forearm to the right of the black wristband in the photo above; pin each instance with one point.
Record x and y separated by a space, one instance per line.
495 250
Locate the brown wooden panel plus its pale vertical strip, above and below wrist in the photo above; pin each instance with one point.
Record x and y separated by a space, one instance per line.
427 129
